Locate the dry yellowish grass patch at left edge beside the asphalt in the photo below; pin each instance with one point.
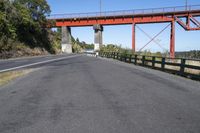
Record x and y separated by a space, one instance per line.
6 77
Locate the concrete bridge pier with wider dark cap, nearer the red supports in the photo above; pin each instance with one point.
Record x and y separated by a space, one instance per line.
98 38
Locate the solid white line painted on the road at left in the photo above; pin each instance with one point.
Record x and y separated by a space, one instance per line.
37 63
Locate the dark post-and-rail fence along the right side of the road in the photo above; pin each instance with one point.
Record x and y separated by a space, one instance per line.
179 66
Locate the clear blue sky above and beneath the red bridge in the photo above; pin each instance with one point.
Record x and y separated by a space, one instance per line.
122 34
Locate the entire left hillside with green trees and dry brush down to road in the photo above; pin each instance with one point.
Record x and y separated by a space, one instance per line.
22 29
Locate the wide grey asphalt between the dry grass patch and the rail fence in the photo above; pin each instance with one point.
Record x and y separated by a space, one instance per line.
93 95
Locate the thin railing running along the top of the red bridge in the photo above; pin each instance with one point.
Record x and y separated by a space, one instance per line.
126 12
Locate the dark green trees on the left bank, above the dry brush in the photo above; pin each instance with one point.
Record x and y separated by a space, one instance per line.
24 21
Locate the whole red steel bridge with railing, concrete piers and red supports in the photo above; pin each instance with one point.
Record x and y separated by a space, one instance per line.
141 16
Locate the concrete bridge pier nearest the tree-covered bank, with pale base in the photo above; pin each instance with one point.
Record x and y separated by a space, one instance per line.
66 40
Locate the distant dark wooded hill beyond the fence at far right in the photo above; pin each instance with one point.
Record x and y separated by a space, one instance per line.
194 54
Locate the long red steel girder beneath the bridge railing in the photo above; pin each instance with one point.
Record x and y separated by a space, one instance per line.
120 20
